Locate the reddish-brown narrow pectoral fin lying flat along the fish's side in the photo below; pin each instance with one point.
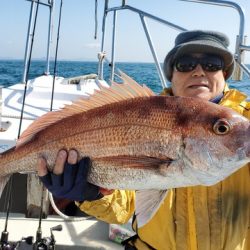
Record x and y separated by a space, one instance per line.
134 161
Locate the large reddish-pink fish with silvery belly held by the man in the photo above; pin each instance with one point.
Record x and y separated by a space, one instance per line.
138 140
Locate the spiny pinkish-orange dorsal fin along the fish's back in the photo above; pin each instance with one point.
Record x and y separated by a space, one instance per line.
106 95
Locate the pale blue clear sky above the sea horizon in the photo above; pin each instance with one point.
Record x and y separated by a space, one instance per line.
78 27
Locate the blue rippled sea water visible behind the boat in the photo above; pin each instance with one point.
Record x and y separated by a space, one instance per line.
11 72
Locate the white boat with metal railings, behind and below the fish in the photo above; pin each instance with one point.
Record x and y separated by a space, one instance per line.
24 102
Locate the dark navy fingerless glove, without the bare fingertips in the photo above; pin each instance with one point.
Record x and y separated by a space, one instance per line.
72 183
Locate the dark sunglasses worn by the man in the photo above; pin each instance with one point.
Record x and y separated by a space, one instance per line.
210 63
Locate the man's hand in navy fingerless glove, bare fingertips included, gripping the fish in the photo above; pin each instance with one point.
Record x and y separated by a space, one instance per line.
69 177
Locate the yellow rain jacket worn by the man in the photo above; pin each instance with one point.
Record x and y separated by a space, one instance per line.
215 217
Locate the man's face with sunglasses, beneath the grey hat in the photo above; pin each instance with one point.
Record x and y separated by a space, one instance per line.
197 81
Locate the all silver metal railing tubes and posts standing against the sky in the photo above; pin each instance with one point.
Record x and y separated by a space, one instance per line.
240 47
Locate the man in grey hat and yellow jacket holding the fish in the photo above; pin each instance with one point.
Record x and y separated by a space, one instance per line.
215 217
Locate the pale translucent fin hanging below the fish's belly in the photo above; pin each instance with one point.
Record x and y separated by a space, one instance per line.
147 203
